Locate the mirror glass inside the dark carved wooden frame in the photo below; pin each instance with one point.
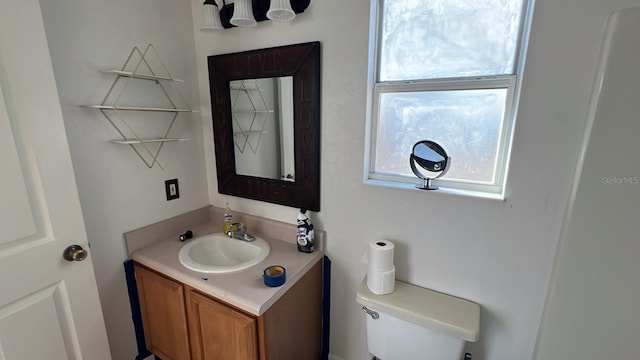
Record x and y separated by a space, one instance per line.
262 113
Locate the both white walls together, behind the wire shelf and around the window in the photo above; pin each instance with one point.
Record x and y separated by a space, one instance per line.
498 254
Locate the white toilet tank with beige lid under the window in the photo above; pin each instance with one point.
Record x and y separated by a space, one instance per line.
414 323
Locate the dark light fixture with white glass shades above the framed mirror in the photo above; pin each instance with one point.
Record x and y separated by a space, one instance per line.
247 13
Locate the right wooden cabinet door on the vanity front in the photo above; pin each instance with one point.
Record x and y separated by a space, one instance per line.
219 331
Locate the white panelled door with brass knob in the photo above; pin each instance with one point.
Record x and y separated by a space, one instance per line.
49 307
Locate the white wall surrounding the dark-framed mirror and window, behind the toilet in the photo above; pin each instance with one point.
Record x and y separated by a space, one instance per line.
498 254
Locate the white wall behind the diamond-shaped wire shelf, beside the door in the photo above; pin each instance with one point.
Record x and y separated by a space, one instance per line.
118 192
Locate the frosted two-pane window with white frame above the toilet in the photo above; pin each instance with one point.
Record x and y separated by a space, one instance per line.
447 71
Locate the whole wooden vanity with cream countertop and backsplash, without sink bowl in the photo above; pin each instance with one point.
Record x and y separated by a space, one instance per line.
194 315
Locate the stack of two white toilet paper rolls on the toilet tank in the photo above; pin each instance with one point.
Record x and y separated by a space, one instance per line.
381 274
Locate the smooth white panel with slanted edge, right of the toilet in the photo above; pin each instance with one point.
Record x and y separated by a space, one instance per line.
592 312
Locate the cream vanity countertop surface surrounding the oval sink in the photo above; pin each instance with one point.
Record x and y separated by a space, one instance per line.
244 289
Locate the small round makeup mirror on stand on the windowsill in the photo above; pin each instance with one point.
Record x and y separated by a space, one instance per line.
431 157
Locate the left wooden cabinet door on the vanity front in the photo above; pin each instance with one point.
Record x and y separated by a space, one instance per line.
163 315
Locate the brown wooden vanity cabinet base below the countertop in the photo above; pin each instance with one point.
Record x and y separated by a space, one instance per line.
181 322
